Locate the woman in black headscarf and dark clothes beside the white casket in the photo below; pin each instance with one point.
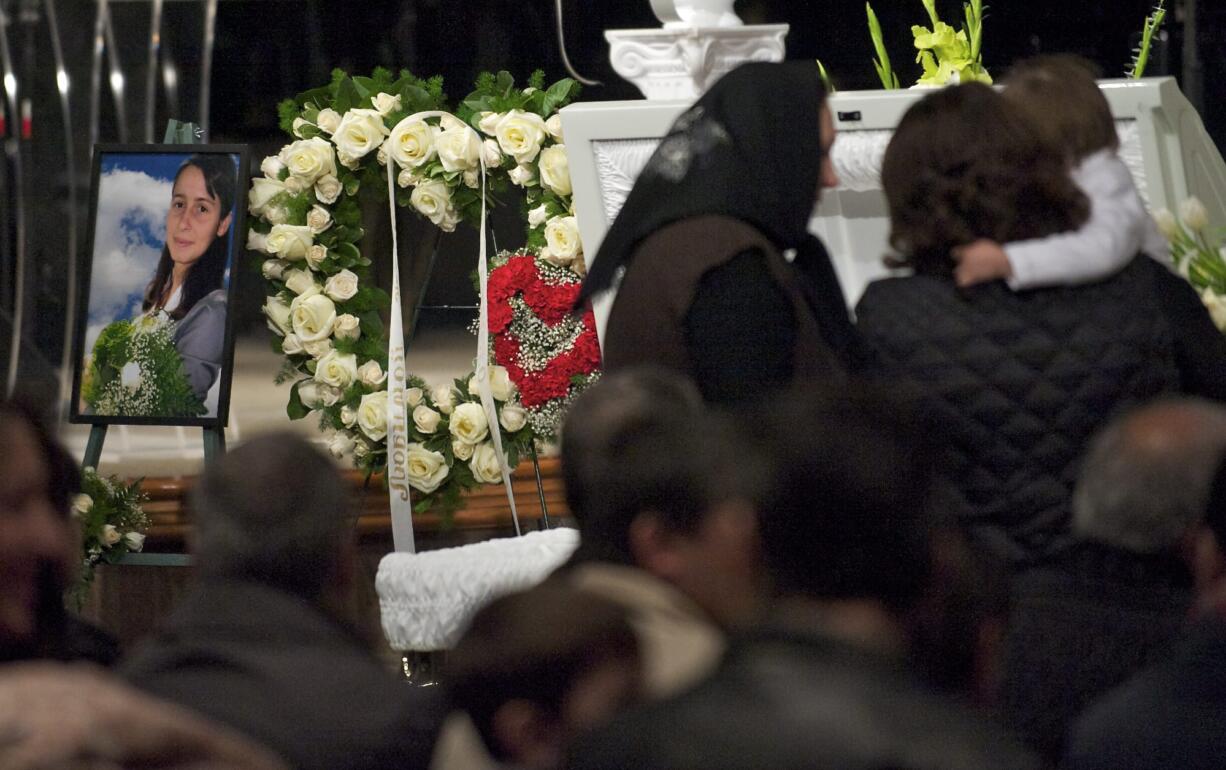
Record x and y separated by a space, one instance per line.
723 279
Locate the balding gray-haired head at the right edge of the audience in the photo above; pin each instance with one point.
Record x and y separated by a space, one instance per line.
1146 478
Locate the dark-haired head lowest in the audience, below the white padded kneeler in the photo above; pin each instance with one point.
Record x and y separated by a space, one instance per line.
536 668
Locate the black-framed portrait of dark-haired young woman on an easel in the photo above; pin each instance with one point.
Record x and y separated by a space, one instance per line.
155 338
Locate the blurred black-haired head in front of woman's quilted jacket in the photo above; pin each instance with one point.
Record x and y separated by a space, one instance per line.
845 514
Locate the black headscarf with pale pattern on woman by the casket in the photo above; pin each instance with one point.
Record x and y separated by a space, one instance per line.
750 149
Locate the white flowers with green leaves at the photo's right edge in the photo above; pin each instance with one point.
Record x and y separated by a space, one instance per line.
1198 254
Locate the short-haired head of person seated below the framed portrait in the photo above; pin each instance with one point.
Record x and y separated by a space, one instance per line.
273 512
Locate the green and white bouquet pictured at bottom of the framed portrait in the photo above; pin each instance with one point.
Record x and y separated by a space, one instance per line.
137 371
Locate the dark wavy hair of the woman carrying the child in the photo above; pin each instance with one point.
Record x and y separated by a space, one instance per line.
967 165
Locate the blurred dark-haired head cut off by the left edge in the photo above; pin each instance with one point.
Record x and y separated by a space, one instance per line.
37 541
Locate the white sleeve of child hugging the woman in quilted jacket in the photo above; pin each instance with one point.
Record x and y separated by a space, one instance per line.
1109 240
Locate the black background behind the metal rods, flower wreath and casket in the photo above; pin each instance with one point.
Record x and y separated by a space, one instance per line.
270 50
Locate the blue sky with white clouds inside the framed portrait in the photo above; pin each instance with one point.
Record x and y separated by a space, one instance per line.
134 197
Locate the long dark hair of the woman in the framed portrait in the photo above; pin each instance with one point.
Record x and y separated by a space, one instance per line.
221 178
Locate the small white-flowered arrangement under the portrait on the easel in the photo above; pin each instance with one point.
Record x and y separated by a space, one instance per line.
112 524
